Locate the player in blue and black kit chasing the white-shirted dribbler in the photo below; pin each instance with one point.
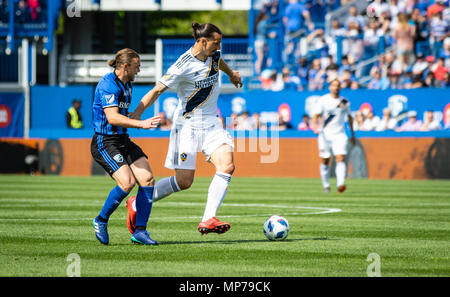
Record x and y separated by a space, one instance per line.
112 148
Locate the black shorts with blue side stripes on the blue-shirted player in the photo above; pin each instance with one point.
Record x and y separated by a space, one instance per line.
113 151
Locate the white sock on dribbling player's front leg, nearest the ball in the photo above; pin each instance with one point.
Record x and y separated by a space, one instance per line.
216 193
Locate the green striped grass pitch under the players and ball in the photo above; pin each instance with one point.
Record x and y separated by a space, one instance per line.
44 219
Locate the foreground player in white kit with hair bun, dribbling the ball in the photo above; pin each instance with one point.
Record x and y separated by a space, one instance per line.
196 124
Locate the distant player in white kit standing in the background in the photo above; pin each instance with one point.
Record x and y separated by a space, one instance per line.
332 140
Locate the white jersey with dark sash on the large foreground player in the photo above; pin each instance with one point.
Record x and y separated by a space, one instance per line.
197 87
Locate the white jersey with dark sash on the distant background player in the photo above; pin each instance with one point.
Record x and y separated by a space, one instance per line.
334 112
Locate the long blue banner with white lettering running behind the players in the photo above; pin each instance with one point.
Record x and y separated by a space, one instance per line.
49 104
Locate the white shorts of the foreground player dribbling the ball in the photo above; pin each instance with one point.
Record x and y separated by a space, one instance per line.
186 142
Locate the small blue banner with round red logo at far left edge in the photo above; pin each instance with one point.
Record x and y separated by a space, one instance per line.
11 114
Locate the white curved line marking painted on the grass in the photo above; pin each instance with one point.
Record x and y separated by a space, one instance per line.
319 210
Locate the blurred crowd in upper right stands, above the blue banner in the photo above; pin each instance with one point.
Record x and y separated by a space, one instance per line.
406 44
